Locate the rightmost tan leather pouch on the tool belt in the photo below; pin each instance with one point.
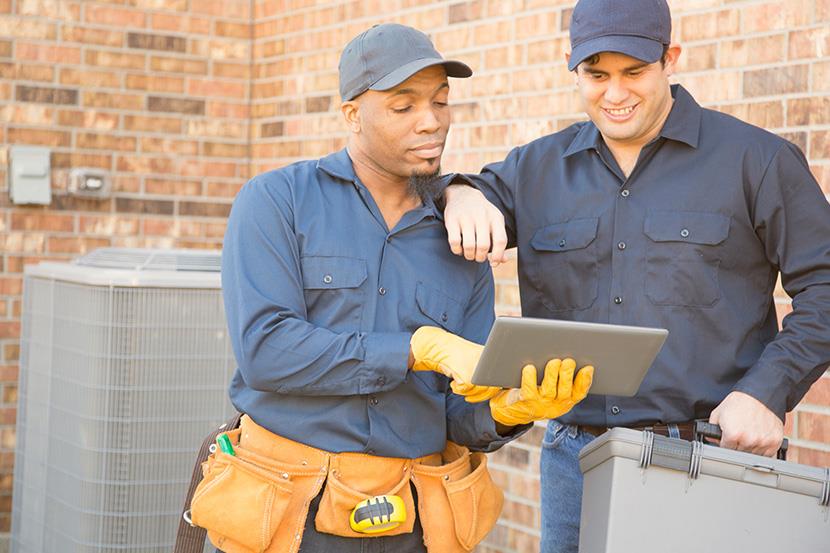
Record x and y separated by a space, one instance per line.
457 501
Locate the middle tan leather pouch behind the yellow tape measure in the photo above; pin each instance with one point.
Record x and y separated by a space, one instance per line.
354 477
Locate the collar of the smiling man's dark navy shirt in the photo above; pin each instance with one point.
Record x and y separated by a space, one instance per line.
682 125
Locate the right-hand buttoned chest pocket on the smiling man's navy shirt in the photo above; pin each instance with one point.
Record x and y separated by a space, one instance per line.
683 256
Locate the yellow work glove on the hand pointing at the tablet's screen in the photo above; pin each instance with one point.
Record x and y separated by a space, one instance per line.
435 349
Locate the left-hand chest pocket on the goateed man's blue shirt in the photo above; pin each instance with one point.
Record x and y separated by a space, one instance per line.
334 291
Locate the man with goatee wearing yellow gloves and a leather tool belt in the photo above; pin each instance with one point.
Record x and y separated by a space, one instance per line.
346 310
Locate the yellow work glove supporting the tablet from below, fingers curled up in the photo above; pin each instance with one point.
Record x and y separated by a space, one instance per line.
557 394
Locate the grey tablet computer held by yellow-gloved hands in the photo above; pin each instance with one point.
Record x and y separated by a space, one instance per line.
621 355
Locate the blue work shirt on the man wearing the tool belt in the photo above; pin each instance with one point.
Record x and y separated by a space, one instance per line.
322 300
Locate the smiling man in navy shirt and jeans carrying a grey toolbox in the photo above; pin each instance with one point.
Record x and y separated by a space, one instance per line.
659 213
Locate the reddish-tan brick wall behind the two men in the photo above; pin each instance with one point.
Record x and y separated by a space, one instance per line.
181 100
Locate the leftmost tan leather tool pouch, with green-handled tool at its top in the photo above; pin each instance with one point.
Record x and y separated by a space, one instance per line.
240 502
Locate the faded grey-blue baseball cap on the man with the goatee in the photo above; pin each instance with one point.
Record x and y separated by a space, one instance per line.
385 56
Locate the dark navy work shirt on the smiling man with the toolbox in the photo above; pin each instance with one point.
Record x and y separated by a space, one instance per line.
692 241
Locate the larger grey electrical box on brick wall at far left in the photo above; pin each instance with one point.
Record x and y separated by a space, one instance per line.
29 175
